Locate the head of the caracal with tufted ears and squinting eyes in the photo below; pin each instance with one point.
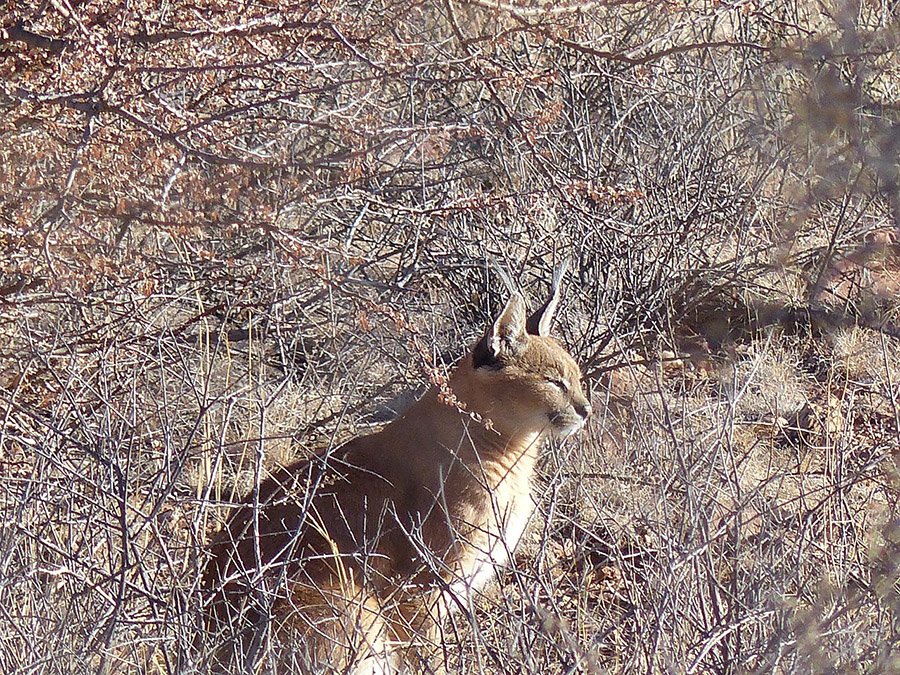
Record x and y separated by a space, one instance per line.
527 383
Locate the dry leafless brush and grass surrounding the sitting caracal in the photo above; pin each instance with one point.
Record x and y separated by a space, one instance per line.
232 233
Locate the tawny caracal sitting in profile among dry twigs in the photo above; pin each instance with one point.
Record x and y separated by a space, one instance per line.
351 559
